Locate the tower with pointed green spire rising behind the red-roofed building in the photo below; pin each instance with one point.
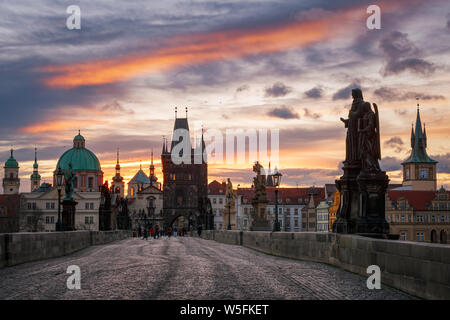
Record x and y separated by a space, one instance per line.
419 170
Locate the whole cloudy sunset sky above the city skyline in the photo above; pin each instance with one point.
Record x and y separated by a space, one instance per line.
287 65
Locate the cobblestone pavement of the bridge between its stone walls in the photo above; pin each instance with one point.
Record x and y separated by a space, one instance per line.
184 268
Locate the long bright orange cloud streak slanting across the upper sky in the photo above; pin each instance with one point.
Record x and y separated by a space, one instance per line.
193 49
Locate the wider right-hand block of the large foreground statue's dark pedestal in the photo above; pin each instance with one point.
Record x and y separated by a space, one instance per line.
371 221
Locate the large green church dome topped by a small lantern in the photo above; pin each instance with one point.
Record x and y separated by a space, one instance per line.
81 158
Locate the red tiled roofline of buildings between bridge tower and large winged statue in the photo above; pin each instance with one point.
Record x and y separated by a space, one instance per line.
293 194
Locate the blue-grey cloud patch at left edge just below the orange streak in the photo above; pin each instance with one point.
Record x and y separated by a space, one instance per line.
27 101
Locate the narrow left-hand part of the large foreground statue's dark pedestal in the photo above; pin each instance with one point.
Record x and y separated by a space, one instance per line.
348 211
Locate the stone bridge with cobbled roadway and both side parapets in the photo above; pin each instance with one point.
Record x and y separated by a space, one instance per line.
220 265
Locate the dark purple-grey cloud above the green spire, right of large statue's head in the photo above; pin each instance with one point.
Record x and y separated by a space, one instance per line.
403 55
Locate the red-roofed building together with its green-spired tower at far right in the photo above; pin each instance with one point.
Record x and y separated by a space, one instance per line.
416 211
